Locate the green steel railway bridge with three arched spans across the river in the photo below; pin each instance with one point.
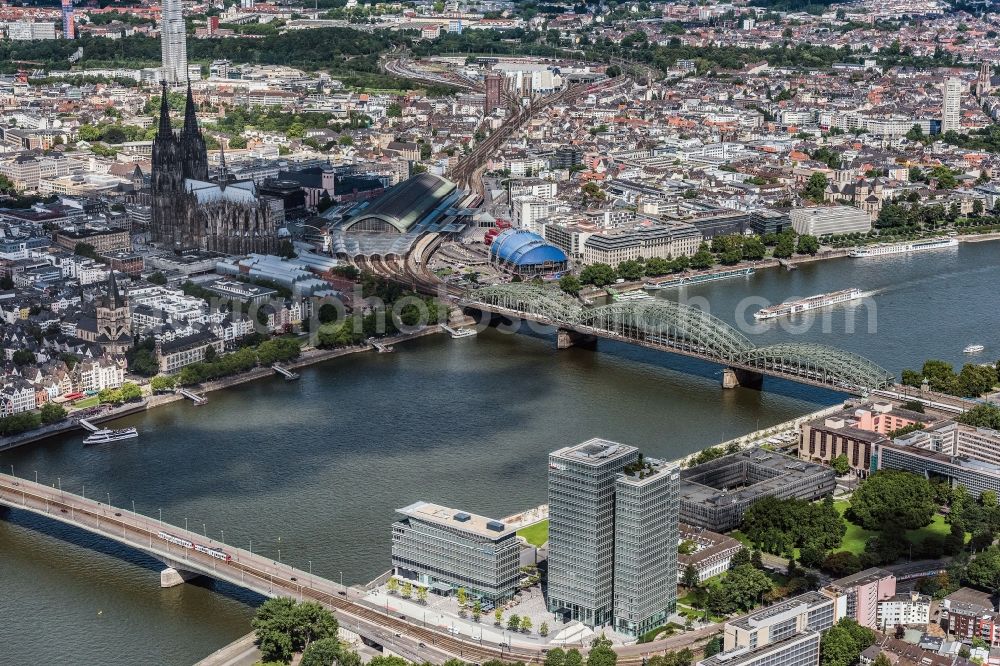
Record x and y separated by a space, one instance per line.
682 329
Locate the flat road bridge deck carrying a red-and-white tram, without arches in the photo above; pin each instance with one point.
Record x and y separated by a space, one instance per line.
272 579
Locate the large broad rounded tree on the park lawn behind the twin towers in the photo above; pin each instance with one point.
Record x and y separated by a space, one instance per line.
891 497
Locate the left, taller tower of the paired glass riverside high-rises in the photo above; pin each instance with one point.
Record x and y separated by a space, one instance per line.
582 529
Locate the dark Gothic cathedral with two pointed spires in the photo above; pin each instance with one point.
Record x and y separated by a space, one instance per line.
191 211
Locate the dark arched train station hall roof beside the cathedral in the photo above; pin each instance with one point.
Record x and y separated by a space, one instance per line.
401 208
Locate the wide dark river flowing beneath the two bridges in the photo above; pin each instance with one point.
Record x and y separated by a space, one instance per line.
315 468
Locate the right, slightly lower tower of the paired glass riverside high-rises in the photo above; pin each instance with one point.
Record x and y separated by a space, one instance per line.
646 536
